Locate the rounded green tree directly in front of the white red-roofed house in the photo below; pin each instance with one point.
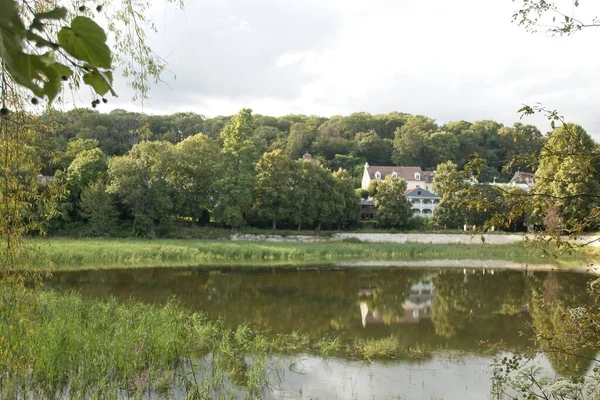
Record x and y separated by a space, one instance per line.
393 208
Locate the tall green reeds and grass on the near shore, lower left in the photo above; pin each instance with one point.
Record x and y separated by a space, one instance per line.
55 345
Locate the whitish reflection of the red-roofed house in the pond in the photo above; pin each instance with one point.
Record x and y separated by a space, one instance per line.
415 307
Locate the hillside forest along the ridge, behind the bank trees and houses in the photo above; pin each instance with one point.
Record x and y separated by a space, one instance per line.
338 142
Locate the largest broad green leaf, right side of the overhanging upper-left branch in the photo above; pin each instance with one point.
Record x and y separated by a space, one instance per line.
86 41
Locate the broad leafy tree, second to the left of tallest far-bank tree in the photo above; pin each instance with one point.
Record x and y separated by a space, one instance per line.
140 179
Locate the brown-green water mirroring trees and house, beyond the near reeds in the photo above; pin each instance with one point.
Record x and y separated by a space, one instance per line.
445 308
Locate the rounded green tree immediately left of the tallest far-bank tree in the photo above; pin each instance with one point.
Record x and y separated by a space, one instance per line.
194 176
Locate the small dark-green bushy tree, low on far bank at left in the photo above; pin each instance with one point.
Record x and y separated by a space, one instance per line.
98 208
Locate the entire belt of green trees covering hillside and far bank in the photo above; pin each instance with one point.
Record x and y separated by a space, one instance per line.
148 171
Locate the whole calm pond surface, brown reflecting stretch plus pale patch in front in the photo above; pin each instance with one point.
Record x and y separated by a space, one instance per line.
447 312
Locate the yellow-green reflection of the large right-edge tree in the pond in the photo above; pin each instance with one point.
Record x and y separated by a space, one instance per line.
566 317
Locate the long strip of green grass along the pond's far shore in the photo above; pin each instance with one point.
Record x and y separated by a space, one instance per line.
62 254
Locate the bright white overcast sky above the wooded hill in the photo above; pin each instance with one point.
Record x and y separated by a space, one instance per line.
448 60
